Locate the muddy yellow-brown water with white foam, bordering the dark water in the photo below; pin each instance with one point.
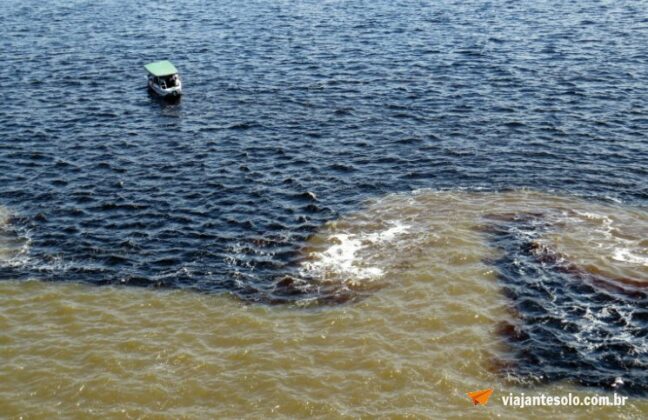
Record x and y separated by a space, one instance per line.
425 329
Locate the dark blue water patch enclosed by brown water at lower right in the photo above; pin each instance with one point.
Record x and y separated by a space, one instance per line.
569 323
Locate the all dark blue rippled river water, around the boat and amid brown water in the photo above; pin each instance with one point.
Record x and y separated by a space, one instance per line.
294 114
